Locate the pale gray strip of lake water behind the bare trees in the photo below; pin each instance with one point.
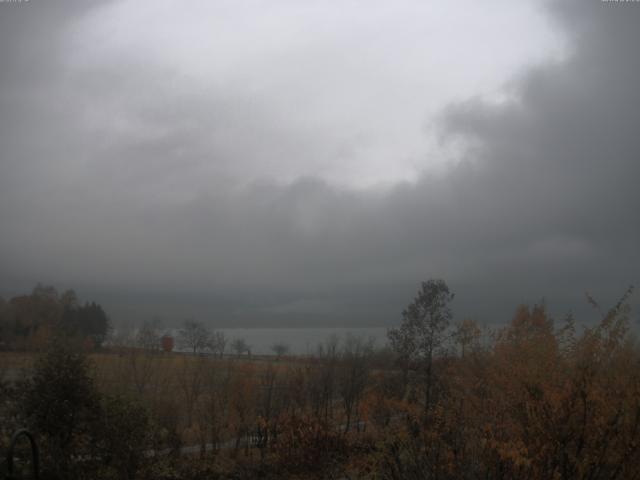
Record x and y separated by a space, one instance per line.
301 341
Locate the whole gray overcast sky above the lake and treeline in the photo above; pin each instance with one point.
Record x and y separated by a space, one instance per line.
302 162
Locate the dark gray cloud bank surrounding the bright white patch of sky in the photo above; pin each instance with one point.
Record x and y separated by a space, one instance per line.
542 202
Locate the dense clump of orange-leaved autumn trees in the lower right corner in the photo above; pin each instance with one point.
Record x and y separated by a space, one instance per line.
542 402
